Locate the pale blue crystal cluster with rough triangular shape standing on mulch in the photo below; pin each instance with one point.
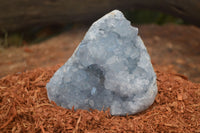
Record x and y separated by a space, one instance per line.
110 68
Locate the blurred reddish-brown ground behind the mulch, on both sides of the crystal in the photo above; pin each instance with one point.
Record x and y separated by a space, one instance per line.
174 48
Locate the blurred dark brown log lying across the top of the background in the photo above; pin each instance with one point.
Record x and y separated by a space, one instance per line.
17 14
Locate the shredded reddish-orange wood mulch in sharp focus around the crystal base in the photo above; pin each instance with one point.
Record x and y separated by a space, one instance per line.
24 107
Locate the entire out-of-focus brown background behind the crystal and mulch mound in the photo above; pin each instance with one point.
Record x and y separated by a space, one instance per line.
37 34
